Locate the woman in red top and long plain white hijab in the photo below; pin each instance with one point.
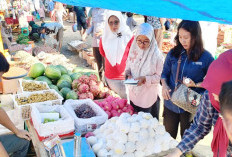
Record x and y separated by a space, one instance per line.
114 47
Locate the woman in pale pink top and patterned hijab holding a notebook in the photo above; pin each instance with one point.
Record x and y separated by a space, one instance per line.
145 64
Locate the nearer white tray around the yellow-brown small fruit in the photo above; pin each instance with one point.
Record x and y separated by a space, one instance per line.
26 108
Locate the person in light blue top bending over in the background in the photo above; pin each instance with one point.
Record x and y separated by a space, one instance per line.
55 28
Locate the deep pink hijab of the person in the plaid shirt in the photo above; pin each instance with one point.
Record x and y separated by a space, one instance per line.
220 71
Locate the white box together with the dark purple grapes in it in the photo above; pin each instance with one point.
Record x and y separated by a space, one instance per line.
87 115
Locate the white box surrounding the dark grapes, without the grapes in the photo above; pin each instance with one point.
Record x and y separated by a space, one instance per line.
89 124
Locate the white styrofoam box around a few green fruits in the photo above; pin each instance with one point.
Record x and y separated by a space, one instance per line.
62 126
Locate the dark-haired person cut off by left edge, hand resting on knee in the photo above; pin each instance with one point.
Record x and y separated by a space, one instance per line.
16 144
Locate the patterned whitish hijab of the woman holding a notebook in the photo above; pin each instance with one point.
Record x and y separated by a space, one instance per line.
144 62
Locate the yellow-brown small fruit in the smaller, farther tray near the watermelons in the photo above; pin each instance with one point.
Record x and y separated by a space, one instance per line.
33 86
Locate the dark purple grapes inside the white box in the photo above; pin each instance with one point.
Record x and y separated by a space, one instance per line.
84 111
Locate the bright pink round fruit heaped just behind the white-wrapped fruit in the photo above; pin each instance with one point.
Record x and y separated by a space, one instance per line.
114 107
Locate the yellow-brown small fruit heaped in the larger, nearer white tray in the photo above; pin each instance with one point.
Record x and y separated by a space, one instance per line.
33 98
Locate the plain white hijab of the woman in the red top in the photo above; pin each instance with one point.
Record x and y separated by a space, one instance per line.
113 45
